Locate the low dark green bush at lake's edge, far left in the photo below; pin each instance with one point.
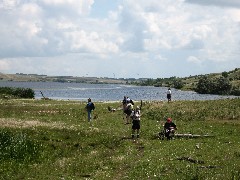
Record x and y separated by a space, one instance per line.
17 92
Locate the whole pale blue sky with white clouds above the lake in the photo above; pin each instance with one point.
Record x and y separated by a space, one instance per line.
119 38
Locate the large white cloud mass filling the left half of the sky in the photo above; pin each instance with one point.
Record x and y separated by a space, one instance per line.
35 33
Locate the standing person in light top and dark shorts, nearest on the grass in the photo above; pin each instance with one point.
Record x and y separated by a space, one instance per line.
136 121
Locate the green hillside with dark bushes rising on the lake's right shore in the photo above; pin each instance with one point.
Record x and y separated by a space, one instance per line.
225 83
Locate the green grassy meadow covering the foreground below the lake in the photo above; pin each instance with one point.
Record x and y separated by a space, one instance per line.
53 140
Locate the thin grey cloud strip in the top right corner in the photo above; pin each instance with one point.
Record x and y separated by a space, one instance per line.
220 3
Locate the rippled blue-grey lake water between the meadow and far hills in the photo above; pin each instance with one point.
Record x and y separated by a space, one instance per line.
106 92
